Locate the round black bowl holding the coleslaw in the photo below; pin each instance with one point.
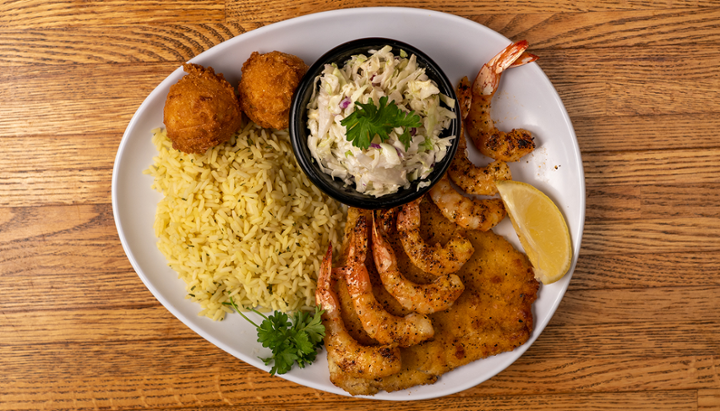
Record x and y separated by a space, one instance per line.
336 188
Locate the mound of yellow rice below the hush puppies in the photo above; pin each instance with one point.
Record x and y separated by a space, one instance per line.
243 220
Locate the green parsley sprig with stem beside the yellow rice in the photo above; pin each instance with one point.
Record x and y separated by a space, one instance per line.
290 342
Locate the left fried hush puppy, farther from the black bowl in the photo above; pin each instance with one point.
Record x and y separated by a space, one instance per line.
201 110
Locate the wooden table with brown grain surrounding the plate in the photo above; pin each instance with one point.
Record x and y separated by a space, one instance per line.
637 329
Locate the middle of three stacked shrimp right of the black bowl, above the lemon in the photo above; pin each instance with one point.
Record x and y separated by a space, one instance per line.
469 177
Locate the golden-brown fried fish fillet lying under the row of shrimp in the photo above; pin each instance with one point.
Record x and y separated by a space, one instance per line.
493 315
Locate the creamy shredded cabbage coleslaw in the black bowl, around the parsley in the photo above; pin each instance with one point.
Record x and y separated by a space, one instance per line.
386 166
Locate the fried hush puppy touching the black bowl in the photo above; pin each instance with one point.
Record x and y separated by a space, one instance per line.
267 86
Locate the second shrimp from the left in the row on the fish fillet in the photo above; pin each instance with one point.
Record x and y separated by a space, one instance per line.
377 322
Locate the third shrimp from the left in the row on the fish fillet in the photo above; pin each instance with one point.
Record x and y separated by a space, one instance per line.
421 298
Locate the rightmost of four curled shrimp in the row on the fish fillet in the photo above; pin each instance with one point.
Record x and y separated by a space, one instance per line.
437 260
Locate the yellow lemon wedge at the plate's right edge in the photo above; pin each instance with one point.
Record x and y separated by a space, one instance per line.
541 229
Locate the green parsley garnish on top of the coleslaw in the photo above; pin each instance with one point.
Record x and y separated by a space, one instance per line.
369 120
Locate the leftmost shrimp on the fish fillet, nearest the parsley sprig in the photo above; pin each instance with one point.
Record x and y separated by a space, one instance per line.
346 353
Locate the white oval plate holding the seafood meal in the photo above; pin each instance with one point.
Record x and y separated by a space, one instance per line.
526 99
